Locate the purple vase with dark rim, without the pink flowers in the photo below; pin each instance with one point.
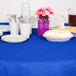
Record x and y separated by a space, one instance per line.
43 24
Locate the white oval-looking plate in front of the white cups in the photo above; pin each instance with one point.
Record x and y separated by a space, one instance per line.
13 38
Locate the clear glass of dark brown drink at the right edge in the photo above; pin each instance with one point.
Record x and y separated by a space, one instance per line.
72 17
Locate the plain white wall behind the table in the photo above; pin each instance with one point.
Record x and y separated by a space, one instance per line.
14 6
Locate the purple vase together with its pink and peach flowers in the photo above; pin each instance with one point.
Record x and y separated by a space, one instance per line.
43 19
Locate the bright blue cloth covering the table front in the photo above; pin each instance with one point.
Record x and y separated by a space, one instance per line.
38 57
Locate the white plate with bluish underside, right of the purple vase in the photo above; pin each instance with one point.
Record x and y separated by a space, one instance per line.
58 35
